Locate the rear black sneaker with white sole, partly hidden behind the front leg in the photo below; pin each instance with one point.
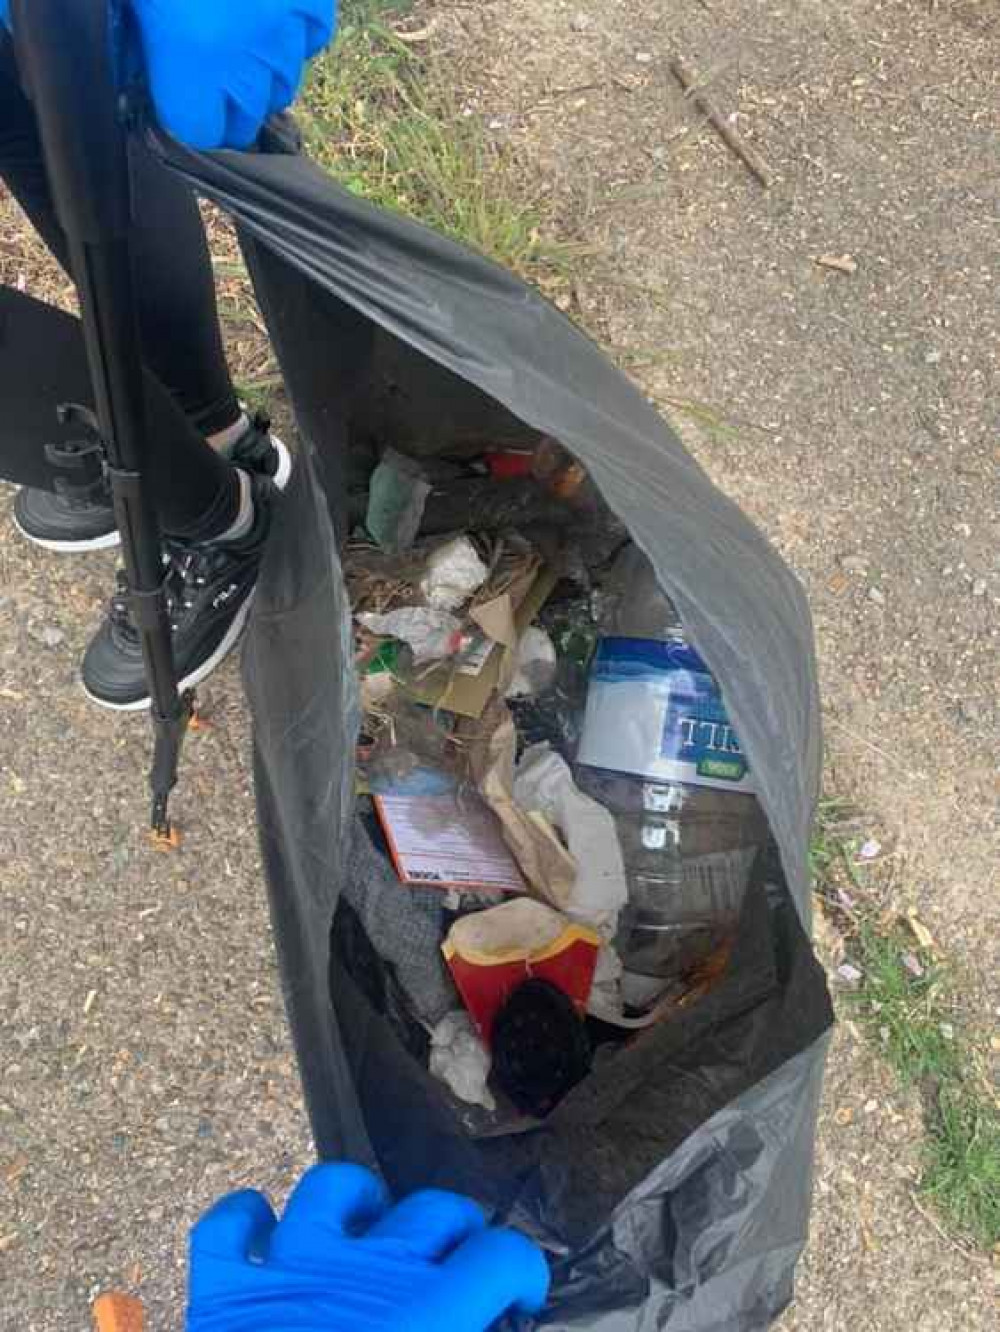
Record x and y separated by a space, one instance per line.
75 525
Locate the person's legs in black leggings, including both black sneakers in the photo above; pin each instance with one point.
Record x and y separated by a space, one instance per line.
216 515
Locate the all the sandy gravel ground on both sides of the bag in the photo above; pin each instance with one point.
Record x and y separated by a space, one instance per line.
146 1062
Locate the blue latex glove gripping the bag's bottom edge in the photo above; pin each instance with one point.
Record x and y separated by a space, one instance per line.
343 1259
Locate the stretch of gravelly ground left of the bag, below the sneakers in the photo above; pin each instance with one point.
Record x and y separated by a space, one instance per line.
146 1060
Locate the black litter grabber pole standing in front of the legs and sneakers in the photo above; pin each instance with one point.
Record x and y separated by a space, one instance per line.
67 57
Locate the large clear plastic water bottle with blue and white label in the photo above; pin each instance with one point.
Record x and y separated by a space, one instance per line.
658 751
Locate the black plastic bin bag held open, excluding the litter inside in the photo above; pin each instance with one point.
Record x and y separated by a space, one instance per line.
672 1187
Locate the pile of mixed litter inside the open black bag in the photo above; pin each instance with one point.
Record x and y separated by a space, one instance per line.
548 767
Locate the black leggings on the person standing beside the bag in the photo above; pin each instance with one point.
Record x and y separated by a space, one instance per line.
190 394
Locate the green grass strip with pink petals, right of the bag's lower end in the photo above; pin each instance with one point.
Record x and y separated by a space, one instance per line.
907 1005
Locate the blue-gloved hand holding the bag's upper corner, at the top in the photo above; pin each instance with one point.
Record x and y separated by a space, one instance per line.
219 69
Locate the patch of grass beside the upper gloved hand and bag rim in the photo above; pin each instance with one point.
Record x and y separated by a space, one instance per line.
380 118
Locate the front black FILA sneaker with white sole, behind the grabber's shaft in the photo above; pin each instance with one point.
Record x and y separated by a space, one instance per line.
210 591
